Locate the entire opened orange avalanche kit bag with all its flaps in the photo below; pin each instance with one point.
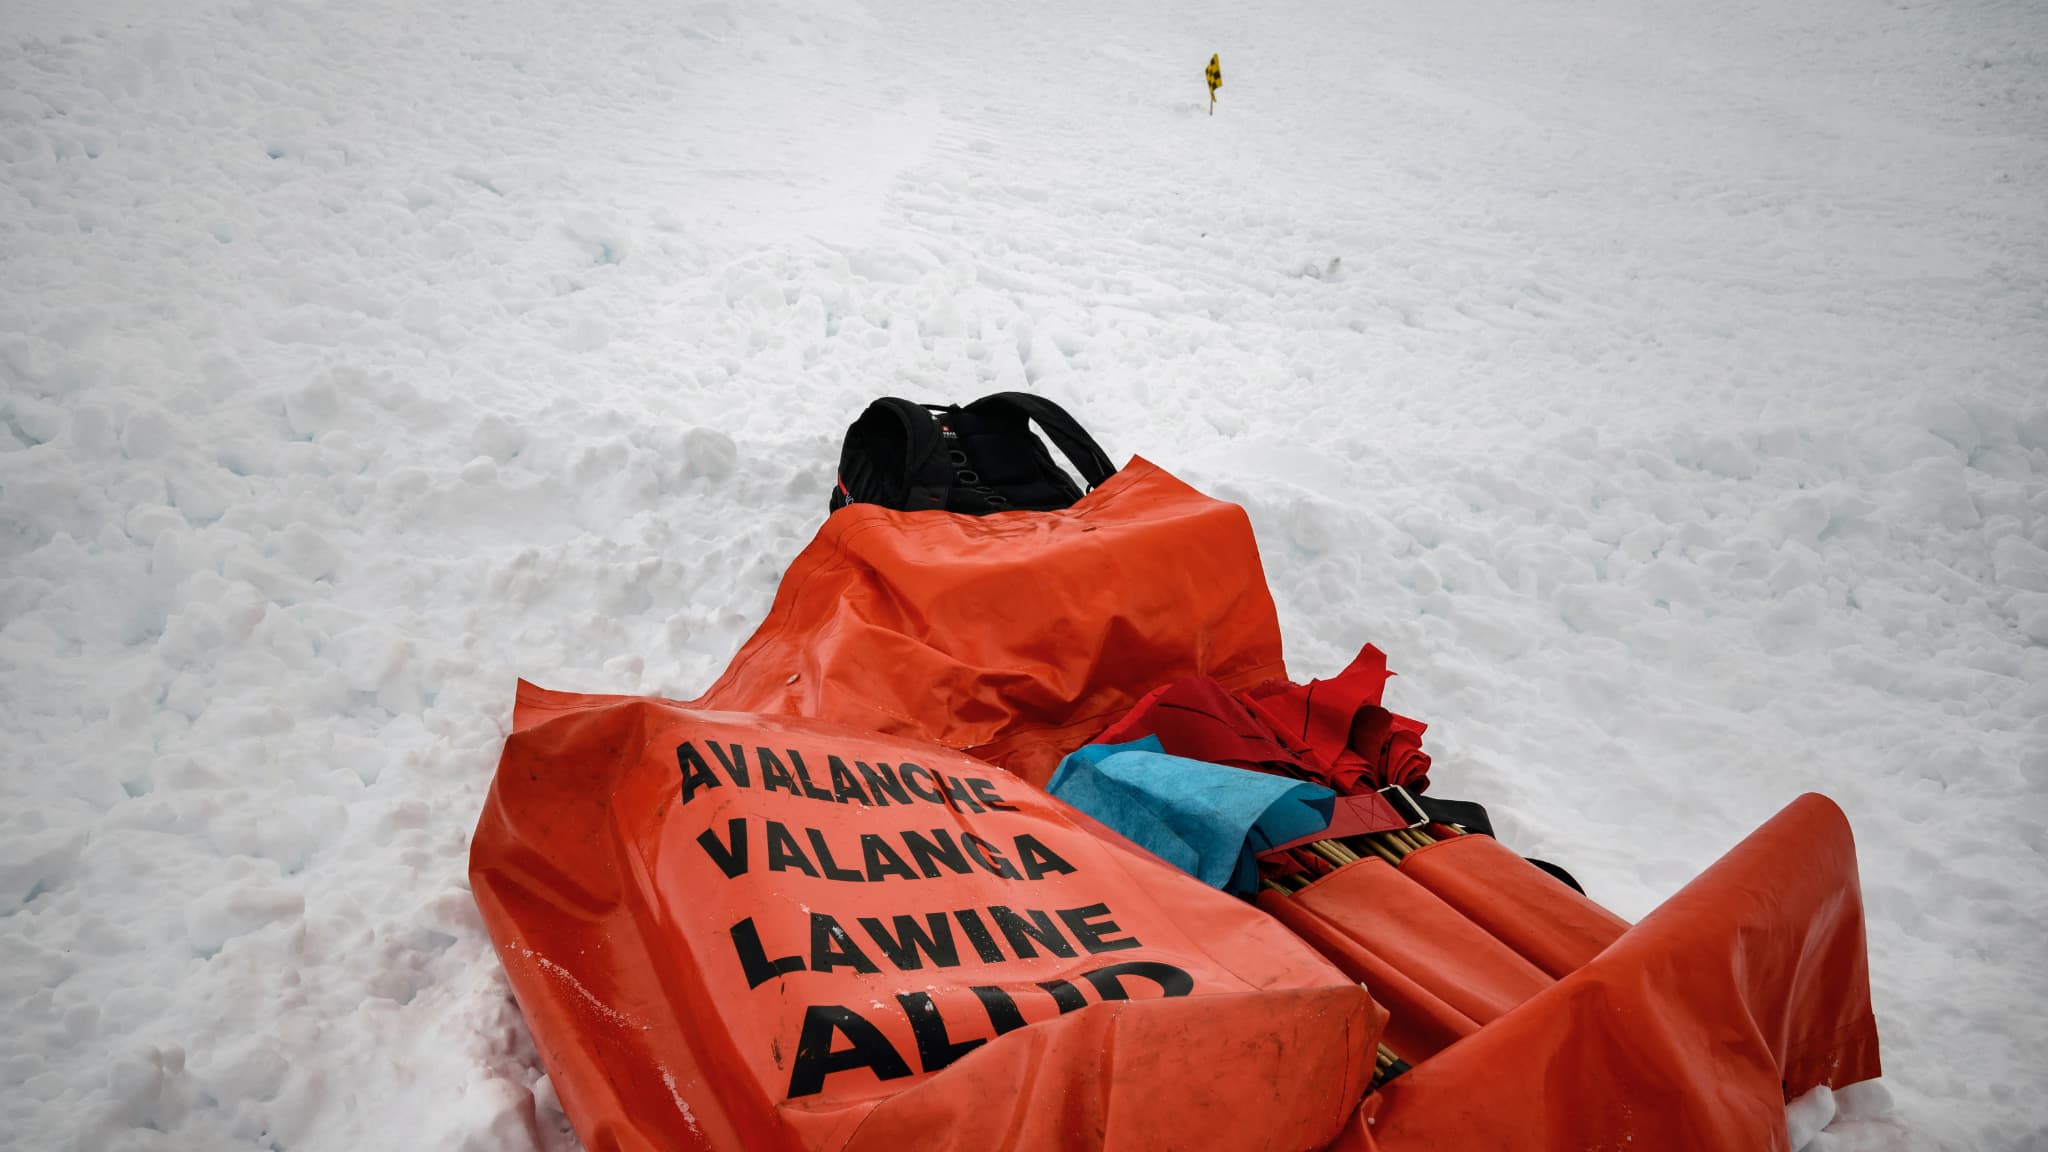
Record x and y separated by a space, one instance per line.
833 905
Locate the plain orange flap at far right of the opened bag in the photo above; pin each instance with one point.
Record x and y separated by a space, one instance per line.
1687 1034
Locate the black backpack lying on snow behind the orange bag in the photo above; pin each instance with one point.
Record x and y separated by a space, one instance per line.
976 458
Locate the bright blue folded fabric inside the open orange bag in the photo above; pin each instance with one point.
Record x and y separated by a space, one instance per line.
1209 821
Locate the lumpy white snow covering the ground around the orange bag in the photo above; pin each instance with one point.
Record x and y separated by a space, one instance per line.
1664 386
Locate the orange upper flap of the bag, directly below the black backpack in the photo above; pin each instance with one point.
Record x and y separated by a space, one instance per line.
1019 636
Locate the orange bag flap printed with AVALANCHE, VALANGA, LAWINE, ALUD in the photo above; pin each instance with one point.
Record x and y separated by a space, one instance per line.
755 934
